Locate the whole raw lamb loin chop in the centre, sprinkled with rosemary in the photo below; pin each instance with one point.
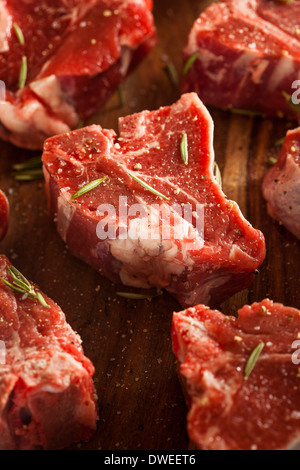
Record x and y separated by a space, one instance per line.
170 150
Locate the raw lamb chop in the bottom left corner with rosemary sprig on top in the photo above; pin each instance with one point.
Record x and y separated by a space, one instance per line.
47 396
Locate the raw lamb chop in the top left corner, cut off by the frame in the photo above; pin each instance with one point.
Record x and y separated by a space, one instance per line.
61 60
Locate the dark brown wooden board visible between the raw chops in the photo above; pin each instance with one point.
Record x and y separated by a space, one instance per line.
141 405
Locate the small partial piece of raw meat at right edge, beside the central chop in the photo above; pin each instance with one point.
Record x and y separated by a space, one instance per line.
281 186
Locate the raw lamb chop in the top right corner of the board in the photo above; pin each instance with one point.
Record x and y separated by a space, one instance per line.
248 55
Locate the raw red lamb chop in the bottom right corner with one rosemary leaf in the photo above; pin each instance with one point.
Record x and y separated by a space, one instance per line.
228 411
